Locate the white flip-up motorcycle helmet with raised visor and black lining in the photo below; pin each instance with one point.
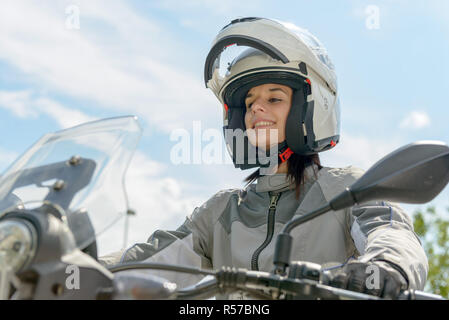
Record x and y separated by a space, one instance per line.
252 51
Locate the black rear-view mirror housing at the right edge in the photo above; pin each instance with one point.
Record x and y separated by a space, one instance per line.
415 173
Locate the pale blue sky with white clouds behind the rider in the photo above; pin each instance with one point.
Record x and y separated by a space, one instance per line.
146 58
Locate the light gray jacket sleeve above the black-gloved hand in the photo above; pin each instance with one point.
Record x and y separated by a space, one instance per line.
383 231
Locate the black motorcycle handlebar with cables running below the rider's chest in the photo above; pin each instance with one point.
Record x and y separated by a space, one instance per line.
267 286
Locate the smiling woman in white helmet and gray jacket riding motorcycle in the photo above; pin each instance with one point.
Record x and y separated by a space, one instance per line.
281 108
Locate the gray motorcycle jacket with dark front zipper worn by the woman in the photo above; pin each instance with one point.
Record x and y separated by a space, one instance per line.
236 228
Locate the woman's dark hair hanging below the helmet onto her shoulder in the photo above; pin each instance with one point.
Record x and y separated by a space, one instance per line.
296 165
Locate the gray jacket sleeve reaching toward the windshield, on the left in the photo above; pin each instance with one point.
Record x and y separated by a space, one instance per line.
189 245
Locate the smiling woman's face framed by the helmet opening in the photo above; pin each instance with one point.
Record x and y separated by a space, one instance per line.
267 108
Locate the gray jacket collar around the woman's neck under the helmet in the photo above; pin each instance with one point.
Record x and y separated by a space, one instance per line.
279 181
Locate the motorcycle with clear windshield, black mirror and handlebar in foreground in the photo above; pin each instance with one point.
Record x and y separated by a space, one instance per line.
68 188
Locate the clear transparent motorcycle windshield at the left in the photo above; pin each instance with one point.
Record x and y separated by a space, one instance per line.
81 170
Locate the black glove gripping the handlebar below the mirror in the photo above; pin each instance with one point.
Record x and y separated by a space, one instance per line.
378 278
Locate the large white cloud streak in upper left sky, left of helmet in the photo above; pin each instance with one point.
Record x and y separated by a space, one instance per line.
133 77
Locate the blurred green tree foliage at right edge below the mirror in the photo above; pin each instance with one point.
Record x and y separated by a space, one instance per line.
433 231
